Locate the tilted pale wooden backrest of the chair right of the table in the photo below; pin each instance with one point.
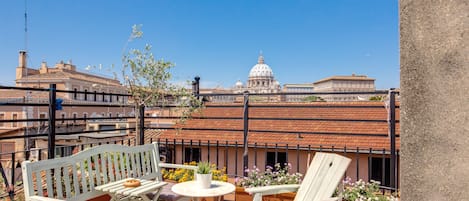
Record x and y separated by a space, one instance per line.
323 176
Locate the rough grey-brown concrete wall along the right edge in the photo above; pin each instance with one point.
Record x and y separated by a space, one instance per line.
435 100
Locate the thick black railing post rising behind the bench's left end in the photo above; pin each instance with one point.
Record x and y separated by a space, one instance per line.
51 136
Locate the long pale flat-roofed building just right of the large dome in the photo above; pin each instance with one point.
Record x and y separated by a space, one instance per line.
353 83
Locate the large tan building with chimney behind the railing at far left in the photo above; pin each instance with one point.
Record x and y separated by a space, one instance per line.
66 77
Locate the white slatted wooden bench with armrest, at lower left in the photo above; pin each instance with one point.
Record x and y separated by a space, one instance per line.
76 177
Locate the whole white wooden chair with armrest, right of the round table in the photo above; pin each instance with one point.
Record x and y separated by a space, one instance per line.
321 179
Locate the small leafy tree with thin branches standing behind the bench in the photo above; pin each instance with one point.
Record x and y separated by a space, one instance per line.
149 81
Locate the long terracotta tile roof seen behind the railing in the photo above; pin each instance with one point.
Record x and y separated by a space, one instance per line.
340 124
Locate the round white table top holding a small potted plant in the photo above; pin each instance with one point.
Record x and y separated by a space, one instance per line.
191 189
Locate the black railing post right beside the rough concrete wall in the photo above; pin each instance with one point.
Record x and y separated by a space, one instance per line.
392 132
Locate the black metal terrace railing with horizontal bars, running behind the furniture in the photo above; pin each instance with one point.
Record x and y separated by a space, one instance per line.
226 151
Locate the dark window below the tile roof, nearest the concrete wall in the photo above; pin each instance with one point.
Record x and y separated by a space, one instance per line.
380 173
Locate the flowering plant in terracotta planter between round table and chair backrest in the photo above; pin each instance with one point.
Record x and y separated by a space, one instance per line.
276 175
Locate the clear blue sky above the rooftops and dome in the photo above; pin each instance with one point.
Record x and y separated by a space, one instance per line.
302 40
